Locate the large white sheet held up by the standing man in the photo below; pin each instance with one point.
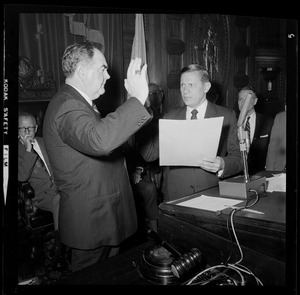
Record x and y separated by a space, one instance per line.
184 142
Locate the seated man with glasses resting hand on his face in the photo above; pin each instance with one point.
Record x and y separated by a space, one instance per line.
34 167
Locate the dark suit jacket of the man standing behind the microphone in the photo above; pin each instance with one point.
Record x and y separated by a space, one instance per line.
259 146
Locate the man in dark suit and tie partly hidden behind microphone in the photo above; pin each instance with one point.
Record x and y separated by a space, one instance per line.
260 131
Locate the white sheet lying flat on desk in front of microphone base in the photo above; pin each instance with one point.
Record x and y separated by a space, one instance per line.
210 203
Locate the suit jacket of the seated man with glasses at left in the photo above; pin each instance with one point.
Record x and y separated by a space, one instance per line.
38 177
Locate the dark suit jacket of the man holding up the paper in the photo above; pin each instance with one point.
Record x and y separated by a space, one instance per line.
182 181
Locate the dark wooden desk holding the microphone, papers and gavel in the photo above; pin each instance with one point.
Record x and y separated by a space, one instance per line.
262 238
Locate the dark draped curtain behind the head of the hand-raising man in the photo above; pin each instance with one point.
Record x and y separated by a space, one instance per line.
43 38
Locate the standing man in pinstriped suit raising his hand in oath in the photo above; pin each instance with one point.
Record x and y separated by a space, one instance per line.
97 209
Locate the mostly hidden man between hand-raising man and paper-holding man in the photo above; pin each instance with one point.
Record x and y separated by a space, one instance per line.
146 176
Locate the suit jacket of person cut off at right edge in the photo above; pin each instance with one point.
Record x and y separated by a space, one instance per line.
276 155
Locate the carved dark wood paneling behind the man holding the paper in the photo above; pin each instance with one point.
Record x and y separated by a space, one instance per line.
234 48
